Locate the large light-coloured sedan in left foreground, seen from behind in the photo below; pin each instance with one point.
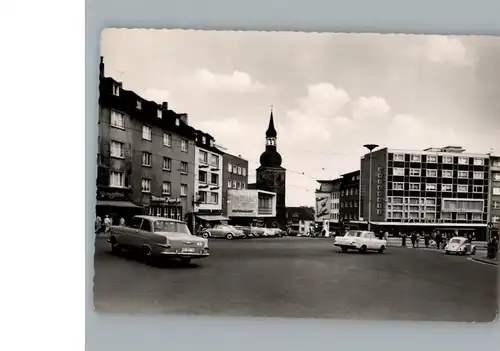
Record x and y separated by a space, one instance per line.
158 237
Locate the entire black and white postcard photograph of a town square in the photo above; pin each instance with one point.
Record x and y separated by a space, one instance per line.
298 175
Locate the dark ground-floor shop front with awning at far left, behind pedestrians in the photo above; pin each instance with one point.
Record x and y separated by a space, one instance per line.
116 203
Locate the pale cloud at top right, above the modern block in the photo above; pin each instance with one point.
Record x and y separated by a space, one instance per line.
447 50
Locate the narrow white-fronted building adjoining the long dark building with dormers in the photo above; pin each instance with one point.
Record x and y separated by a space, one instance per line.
208 182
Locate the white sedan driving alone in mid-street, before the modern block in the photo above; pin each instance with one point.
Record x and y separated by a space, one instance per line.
360 240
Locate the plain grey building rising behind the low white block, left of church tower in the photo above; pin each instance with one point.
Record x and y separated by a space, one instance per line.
234 176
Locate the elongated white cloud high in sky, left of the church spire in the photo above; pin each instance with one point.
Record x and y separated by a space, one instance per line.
238 82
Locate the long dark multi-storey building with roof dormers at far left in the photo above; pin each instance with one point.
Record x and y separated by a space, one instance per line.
146 155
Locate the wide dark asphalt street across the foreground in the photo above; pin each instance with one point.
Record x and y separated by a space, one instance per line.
300 277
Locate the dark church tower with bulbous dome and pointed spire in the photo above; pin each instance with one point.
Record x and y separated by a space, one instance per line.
272 177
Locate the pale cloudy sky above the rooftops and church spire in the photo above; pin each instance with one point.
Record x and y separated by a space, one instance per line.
331 93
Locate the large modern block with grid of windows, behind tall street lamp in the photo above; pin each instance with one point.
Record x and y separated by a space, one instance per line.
435 188
